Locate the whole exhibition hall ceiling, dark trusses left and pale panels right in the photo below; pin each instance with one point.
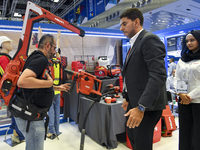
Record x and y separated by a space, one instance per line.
158 14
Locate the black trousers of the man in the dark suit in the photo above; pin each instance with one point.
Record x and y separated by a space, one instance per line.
141 137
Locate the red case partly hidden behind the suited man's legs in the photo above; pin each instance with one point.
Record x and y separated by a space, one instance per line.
156 136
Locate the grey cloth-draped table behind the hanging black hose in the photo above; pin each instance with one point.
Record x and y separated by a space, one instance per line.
104 121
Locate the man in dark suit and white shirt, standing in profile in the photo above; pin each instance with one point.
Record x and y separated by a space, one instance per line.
144 80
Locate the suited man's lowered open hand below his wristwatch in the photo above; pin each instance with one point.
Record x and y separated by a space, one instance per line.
135 117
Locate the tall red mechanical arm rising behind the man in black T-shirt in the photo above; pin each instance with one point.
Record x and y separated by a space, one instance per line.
8 82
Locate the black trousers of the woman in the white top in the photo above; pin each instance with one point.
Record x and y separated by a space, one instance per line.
189 126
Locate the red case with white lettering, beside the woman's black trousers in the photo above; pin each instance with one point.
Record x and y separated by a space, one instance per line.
168 122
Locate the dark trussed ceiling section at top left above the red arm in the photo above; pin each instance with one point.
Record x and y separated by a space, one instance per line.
58 7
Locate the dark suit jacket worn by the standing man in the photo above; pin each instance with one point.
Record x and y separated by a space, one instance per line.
145 73
